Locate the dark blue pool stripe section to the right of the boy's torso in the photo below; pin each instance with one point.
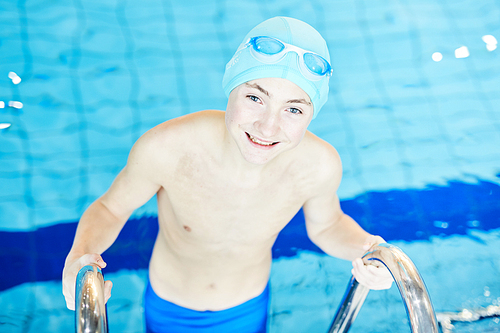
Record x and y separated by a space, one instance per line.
410 214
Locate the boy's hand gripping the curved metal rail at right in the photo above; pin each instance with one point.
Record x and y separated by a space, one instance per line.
372 276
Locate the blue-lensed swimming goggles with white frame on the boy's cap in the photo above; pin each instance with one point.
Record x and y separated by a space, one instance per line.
270 50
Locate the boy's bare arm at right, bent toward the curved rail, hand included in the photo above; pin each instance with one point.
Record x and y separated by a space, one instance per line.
336 233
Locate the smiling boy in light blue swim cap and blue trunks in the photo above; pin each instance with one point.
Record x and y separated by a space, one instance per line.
227 183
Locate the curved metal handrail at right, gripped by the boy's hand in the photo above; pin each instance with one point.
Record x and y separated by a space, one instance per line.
410 284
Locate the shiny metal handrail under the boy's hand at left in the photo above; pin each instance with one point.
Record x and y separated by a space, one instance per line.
90 314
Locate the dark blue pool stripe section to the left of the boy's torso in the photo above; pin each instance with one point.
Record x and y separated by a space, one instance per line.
39 255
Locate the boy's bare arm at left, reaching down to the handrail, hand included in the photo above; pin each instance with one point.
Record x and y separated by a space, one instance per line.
103 220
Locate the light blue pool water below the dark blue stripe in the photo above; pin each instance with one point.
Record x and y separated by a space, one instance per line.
306 291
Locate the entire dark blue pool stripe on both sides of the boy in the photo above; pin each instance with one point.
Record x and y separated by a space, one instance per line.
396 215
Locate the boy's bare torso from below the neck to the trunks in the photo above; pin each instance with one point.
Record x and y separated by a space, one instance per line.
217 226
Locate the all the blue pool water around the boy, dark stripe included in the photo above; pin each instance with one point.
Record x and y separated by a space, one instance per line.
419 140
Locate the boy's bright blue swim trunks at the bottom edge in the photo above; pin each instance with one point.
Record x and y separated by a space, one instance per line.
164 316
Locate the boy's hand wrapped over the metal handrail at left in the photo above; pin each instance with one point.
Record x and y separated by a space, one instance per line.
71 269
